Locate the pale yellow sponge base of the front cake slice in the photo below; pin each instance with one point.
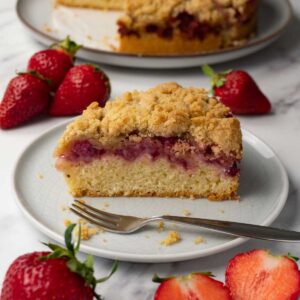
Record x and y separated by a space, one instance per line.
113 176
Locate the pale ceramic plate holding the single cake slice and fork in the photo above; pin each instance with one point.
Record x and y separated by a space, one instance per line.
41 193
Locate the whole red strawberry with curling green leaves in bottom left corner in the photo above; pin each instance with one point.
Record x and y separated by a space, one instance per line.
52 275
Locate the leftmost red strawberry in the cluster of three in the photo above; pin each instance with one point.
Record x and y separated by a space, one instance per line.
26 96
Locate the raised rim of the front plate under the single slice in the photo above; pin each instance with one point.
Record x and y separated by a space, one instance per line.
144 258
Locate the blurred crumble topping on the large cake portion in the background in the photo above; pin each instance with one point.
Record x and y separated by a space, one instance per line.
140 13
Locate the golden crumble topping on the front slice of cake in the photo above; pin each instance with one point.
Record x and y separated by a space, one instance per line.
166 110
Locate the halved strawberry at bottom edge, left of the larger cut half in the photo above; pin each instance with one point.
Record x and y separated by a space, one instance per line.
191 287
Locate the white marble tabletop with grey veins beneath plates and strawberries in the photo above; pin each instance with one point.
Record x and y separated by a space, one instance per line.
277 70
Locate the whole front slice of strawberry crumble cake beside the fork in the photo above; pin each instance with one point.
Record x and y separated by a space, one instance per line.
168 141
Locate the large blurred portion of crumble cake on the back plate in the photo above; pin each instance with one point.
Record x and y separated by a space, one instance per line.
185 27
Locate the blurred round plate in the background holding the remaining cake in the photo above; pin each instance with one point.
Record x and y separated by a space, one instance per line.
96 30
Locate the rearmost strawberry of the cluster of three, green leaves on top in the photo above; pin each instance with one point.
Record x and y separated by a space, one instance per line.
54 63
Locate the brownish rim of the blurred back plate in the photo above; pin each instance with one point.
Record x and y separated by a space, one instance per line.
143 56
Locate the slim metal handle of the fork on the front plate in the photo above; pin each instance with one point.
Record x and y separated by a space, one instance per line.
240 229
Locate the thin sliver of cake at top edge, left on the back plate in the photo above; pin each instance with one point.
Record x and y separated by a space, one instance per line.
98 4
